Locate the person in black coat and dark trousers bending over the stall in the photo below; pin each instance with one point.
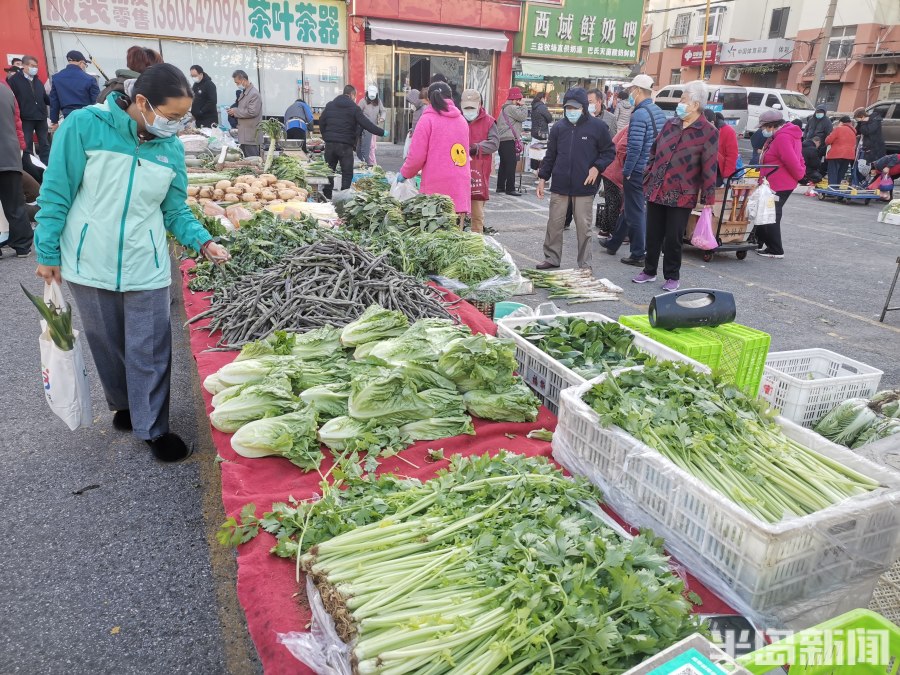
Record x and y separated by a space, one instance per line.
340 123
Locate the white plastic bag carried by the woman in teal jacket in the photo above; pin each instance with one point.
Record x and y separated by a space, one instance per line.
63 373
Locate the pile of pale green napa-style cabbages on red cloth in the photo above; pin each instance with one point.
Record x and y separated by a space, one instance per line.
375 386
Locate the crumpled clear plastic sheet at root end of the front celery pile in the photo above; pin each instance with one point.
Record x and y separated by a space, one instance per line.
321 649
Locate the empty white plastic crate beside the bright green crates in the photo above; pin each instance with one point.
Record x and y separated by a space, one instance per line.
807 384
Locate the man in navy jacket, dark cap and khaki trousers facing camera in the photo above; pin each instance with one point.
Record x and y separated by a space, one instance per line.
578 151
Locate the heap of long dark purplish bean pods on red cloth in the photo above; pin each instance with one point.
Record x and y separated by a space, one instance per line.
329 282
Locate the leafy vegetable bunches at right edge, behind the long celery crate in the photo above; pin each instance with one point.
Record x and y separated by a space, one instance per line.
857 422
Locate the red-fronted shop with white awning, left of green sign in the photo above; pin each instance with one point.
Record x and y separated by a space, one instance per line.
400 48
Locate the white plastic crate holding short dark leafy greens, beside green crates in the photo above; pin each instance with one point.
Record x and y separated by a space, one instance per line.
548 377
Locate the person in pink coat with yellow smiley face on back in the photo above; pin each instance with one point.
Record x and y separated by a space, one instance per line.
440 150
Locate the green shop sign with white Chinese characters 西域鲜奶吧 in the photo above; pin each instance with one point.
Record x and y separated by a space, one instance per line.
583 30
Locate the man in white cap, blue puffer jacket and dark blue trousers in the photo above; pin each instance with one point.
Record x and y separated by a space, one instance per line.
644 124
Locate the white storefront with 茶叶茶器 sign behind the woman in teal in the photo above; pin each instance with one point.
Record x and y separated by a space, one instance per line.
287 49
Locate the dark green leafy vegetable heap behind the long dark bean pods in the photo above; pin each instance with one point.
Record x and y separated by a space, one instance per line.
259 243
